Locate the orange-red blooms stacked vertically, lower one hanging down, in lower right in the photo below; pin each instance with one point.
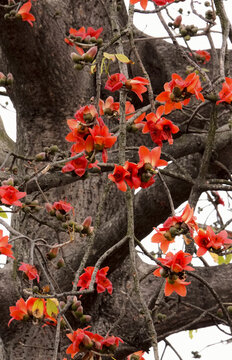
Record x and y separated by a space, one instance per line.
173 271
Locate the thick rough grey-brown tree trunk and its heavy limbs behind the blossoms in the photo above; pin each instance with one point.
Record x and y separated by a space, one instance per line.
47 91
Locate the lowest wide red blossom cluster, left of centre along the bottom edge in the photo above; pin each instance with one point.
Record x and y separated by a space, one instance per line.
85 341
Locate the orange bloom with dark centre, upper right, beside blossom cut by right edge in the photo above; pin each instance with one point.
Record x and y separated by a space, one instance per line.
178 92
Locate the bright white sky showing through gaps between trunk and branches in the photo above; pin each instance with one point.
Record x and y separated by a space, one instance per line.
150 24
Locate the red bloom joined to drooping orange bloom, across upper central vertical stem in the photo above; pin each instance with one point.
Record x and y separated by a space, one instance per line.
117 81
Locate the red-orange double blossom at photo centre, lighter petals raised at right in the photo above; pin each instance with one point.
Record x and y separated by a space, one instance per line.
141 174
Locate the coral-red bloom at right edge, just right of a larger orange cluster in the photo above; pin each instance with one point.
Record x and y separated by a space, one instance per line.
209 241
